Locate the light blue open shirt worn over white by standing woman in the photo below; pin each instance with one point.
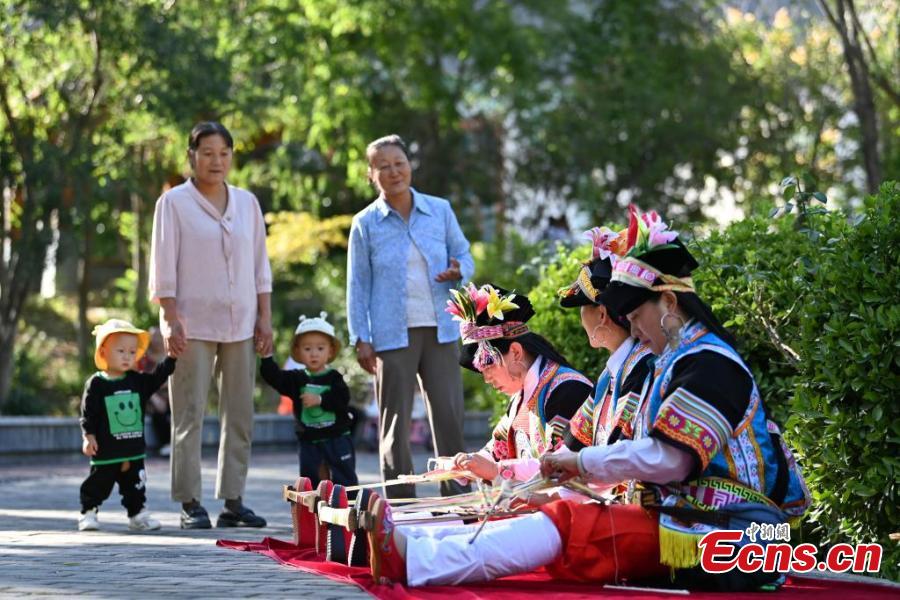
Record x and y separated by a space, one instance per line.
376 268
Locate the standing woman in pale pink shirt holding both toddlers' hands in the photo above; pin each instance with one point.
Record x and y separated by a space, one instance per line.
210 273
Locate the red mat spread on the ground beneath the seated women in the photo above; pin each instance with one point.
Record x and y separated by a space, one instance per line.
538 583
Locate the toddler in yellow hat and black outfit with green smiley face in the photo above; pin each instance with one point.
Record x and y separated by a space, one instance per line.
112 423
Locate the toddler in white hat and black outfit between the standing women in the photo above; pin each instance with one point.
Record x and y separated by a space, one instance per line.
321 402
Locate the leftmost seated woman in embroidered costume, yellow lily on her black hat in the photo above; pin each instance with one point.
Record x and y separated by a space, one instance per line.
545 392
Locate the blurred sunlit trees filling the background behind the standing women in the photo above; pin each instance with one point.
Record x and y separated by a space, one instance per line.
537 119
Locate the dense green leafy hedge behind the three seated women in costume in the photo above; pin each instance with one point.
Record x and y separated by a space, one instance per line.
814 305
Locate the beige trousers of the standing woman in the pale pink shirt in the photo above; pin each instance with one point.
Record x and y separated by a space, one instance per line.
234 366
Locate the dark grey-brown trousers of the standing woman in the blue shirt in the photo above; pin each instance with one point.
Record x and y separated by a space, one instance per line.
435 368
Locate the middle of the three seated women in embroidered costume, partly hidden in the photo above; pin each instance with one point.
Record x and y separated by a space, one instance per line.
606 416
